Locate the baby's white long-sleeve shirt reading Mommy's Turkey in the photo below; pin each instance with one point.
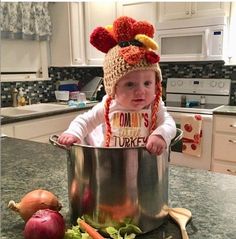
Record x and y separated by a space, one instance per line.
129 128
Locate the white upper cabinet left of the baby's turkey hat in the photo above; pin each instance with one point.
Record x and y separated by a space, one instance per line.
73 22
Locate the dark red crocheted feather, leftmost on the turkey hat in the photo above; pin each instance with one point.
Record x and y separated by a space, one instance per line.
102 39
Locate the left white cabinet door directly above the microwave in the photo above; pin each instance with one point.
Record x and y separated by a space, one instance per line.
174 10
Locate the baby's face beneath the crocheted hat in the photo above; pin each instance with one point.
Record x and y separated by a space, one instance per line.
136 90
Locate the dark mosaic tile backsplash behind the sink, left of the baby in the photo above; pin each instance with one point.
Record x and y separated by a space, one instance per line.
43 91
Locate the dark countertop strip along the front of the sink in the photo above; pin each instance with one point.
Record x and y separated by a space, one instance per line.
8 120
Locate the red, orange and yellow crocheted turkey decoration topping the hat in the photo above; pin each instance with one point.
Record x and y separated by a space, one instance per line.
134 37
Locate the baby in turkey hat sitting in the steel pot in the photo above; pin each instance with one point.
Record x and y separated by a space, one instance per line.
132 112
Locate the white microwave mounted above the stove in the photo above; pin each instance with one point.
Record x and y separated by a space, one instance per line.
193 40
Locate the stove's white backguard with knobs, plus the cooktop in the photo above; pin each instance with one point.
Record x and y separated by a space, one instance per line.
196 95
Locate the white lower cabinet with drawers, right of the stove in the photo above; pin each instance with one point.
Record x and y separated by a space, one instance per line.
224 144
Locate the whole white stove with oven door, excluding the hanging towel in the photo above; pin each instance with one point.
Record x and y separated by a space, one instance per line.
190 96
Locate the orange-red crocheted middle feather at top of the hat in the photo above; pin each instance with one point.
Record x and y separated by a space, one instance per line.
123 28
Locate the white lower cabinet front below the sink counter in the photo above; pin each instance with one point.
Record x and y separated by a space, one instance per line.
39 129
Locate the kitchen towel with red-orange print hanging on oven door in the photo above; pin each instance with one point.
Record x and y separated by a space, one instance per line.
192 134
